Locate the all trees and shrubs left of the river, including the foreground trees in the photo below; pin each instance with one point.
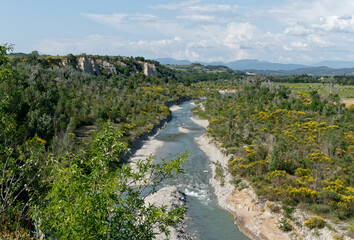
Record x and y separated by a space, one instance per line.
58 183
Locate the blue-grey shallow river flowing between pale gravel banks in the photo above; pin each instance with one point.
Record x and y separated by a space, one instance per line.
206 220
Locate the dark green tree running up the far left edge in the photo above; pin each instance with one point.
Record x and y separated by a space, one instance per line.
19 162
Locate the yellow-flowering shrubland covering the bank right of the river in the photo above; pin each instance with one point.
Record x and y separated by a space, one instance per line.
293 147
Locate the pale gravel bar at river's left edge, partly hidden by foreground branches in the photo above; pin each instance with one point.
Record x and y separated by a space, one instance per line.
172 198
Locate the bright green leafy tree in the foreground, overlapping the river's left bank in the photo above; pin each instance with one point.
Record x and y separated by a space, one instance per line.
87 200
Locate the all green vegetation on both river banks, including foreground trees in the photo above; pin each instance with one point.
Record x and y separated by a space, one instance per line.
63 134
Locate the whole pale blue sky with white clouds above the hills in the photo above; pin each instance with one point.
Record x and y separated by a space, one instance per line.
285 31
